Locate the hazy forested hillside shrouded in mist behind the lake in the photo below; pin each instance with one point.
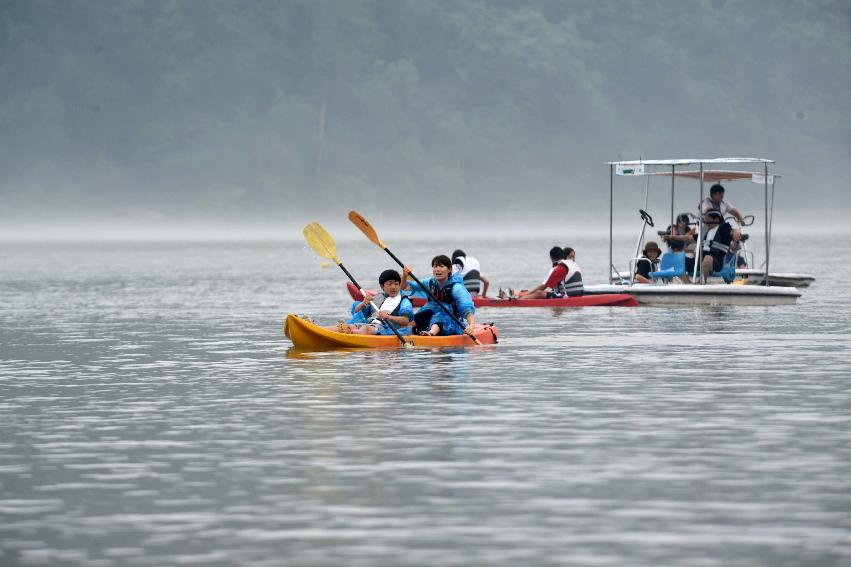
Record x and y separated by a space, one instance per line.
223 107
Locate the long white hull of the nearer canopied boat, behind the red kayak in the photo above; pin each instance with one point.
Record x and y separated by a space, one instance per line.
711 294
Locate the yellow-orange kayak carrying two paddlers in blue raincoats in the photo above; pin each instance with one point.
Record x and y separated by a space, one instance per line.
306 334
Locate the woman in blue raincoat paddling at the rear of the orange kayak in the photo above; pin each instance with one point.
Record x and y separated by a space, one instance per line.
450 291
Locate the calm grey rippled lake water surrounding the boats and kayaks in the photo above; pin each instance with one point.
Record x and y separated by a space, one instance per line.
153 413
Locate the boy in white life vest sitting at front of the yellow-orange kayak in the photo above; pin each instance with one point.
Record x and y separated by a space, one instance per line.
393 308
